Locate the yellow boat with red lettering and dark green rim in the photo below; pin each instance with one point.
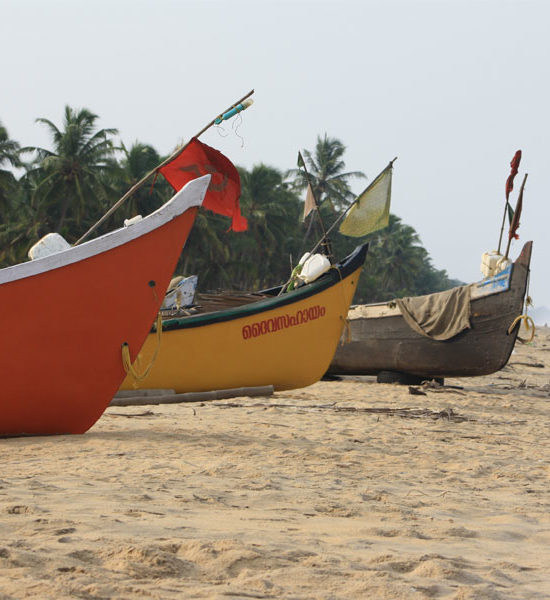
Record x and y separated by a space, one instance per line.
286 340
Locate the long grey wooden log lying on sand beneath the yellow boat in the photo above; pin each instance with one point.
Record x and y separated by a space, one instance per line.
144 397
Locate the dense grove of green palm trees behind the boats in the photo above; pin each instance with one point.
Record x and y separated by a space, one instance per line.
68 187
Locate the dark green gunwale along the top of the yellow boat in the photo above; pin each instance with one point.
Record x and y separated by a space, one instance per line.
335 275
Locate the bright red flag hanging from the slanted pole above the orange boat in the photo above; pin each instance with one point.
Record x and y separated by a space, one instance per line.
222 196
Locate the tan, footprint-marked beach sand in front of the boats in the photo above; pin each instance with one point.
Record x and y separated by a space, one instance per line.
292 496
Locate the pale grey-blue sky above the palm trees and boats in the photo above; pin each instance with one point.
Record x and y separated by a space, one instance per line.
453 88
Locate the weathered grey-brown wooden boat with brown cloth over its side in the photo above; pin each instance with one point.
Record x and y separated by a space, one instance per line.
383 344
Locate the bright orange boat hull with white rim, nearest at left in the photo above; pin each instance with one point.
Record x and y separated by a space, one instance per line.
66 316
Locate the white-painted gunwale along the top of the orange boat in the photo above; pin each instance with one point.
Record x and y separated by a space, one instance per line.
189 196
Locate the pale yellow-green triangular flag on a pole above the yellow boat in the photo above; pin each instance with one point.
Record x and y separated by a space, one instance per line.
371 210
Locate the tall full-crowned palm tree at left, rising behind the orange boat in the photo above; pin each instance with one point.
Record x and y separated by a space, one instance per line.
72 190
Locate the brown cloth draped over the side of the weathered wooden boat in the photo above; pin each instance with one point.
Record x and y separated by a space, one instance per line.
438 316
